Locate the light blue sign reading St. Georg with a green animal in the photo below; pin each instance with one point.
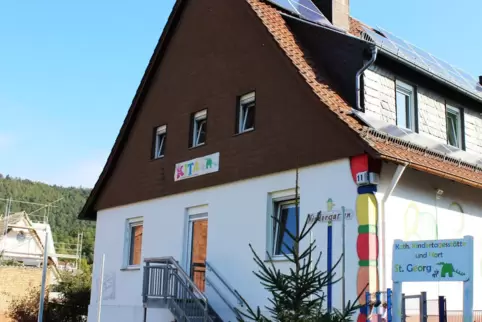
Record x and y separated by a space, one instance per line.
432 260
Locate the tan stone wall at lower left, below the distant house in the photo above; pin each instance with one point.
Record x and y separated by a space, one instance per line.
17 282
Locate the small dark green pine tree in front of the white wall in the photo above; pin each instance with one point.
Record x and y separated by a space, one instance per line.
297 296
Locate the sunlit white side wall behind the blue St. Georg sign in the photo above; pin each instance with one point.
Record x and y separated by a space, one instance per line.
413 213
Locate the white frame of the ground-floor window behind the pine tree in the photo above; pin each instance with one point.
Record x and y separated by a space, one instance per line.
274 199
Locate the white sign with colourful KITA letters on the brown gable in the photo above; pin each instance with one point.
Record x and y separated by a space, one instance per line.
197 167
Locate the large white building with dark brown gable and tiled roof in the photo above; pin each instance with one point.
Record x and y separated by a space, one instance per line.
237 96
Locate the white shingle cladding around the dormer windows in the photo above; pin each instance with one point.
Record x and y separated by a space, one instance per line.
379 91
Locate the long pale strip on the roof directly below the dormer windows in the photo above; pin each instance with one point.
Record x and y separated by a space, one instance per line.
418 139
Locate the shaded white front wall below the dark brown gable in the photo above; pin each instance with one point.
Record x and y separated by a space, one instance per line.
237 215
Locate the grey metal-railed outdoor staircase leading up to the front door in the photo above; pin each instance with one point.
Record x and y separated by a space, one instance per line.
167 285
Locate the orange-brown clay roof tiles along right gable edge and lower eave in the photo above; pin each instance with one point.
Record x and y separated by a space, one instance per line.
387 149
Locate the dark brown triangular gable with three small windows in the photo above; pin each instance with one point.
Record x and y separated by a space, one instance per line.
216 52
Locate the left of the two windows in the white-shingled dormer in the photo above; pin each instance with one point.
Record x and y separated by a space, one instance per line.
405 100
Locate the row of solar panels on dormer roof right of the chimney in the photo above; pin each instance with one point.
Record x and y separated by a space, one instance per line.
424 60
